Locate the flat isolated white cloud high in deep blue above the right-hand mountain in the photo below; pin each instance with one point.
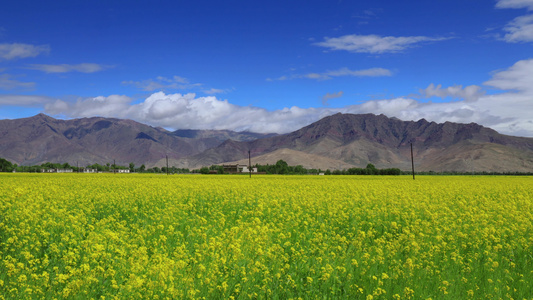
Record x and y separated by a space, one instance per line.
375 44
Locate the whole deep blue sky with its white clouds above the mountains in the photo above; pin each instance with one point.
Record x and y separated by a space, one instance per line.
270 66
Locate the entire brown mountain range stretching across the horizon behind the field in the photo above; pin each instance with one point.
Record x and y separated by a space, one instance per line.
335 142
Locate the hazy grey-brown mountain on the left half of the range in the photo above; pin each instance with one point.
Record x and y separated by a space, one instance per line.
40 139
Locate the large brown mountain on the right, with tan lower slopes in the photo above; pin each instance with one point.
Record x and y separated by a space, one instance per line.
357 140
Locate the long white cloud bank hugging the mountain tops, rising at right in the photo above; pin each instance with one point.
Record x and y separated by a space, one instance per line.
508 112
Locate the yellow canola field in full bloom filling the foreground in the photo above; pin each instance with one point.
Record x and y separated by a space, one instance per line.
105 236
